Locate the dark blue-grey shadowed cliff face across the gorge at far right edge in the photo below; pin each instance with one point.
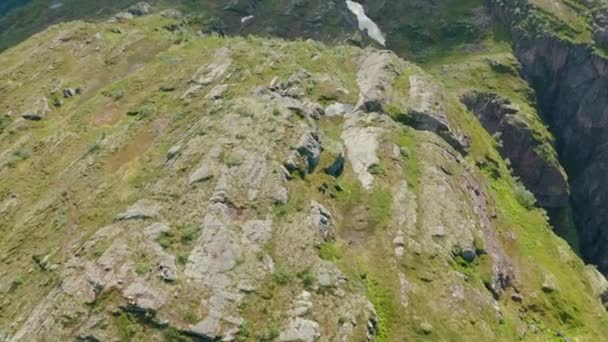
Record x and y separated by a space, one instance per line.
571 83
